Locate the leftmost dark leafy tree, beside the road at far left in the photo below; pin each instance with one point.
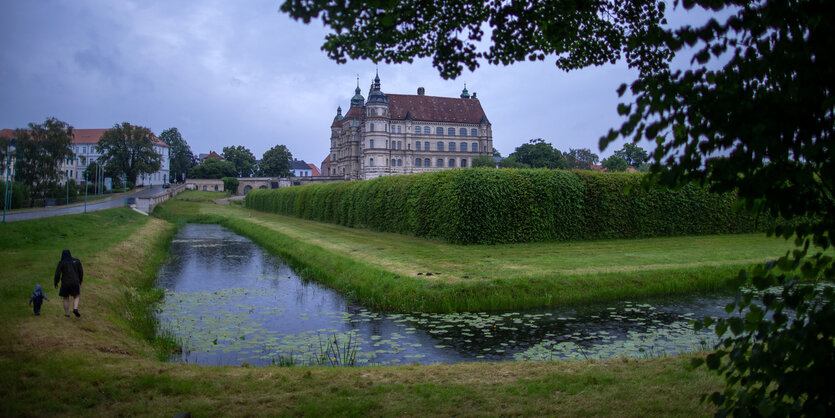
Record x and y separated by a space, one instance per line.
41 149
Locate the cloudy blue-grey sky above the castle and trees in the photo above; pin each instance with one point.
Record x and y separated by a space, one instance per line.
241 73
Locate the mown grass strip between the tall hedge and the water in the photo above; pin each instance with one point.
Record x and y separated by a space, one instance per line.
403 273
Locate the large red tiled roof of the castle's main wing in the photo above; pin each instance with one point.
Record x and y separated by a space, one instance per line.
435 109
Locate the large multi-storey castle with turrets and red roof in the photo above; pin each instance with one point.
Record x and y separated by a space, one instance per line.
392 134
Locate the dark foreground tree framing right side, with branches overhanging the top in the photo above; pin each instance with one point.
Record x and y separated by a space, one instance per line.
753 115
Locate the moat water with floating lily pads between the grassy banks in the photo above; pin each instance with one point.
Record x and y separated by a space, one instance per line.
231 303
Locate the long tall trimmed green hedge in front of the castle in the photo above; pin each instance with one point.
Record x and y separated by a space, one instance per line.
486 206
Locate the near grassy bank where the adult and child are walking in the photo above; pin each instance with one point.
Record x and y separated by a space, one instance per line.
100 365
